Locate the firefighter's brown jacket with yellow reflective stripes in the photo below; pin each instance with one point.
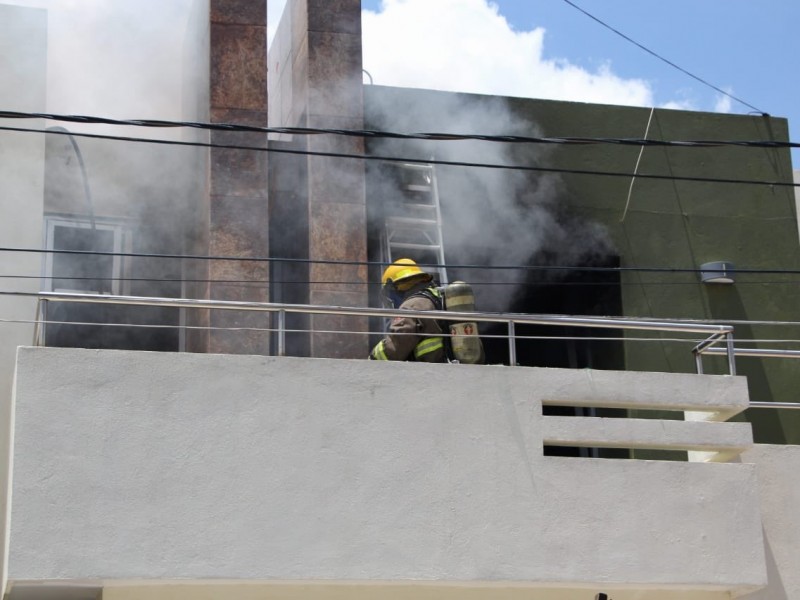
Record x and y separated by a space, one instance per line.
410 338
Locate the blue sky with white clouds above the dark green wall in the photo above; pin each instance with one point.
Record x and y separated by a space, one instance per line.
749 49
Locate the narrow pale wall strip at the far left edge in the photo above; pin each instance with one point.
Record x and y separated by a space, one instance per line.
23 48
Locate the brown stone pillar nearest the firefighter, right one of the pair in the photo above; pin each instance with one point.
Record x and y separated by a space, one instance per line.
336 196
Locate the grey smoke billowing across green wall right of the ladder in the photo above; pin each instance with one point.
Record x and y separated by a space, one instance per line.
491 217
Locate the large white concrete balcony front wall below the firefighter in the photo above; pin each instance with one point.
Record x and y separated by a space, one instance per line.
158 466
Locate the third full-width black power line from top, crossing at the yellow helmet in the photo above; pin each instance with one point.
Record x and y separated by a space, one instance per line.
313 261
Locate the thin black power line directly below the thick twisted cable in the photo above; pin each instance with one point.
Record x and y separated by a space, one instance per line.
396 159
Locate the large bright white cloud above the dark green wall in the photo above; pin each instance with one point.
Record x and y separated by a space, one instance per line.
467 45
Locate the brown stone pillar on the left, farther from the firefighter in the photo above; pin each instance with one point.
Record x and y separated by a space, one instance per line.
238 178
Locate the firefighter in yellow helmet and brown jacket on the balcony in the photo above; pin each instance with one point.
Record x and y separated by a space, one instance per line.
406 286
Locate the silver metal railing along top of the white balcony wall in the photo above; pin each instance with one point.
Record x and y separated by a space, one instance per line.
715 333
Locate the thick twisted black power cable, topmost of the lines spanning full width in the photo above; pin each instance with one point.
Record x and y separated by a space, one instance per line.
371 133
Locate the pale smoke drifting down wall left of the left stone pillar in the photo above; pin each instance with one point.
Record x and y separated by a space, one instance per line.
124 59
